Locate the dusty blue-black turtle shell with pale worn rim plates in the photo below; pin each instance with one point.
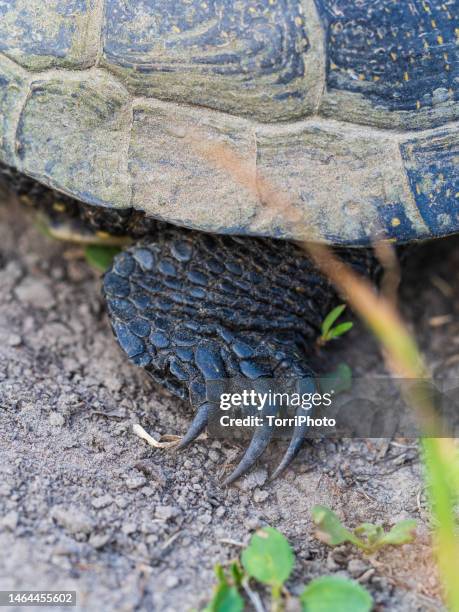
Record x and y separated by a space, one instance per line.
349 107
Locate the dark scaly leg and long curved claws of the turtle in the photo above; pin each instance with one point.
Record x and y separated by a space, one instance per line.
191 307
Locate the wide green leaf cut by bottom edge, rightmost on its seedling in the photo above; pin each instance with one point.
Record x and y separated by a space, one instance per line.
333 594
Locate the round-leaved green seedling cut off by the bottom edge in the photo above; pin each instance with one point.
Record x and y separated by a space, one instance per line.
269 559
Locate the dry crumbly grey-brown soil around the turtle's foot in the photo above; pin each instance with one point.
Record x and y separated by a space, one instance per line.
86 505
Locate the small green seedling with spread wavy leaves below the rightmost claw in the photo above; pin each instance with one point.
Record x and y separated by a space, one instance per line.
367 537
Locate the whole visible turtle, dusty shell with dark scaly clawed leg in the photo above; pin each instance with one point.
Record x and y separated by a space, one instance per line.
349 106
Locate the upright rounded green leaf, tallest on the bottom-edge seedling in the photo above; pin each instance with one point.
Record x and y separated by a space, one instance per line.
269 557
